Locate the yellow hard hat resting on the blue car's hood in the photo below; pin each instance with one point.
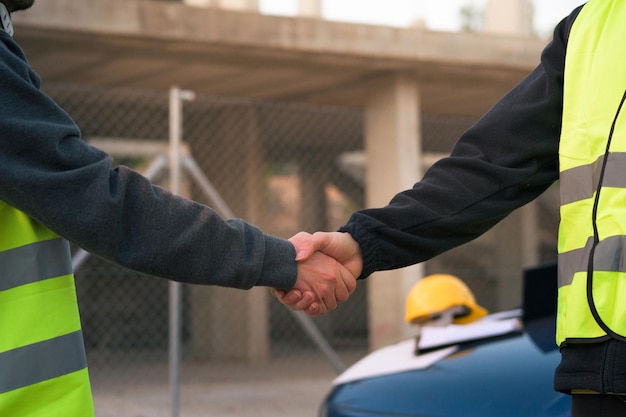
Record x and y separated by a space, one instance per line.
436 293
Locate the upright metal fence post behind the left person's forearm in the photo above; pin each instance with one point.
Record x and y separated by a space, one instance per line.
175 311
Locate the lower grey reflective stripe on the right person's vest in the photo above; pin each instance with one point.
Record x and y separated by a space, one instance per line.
609 256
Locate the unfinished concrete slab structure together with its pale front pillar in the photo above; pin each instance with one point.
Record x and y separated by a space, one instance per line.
394 74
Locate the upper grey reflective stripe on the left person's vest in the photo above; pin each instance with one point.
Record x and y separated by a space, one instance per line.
34 262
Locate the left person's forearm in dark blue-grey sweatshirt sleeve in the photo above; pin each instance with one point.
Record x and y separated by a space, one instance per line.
120 216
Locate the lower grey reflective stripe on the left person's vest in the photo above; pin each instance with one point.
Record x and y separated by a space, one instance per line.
41 361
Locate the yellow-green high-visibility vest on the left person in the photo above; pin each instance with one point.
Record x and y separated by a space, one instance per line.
43 367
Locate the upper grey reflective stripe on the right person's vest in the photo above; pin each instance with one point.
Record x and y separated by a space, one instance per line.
581 182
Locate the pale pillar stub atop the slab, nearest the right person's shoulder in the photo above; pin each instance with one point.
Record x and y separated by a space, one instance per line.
509 17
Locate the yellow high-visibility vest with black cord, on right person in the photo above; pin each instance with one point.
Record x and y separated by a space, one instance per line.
592 155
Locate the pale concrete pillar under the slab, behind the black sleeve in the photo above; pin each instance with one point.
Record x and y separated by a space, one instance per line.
393 146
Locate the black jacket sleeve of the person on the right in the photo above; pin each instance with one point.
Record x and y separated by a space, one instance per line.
508 158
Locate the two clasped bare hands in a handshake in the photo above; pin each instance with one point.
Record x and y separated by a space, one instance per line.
328 266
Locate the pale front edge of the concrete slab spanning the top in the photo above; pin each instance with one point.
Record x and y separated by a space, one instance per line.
177 21
